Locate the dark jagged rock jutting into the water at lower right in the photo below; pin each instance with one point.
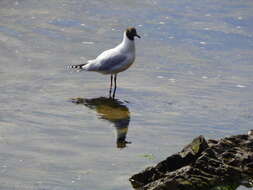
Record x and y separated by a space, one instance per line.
202 164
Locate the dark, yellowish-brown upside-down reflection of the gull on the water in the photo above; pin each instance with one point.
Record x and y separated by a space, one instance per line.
113 111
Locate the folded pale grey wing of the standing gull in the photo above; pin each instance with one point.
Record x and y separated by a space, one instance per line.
112 62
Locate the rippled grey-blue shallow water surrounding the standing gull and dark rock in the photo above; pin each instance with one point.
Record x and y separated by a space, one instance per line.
192 76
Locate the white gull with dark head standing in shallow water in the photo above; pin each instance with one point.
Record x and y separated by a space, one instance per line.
115 60
